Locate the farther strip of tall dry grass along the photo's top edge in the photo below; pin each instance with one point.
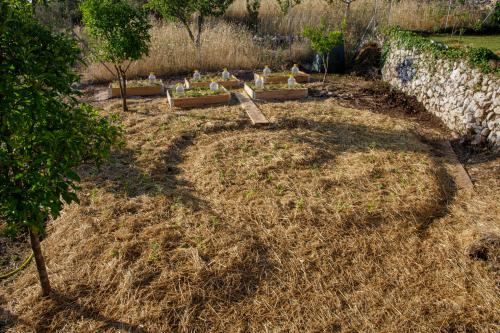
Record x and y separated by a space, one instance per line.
408 14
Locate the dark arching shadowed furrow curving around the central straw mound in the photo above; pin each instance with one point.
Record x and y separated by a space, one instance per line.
329 138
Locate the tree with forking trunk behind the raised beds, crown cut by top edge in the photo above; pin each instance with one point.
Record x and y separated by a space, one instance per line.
184 10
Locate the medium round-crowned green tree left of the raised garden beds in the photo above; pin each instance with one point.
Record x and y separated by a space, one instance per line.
120 33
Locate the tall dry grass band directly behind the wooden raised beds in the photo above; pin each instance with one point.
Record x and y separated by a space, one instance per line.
172 52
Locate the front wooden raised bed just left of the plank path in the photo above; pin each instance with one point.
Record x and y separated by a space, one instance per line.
198 97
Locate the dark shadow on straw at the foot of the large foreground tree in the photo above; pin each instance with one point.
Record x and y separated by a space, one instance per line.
60 303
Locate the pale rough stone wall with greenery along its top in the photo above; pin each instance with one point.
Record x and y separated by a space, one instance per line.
465 99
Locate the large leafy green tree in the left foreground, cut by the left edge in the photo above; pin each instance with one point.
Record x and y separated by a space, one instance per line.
45 132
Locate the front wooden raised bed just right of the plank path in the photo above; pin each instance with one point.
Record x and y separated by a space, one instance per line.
276 92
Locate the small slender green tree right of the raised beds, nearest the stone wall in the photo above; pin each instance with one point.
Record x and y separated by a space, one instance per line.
323 41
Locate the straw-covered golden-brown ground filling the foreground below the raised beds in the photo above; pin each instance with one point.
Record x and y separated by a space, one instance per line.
337 217
